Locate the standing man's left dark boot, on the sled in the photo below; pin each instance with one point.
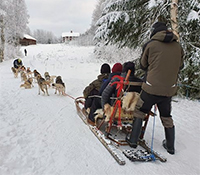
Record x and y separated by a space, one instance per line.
135 133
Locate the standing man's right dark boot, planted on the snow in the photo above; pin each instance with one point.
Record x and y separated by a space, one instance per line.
168 143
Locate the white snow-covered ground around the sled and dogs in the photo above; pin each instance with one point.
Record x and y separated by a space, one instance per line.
43 135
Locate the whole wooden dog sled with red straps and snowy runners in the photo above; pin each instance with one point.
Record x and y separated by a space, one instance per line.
112 132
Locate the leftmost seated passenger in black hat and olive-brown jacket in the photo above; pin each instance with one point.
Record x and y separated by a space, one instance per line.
94 87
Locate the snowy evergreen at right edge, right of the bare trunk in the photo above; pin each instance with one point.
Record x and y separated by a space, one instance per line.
189 27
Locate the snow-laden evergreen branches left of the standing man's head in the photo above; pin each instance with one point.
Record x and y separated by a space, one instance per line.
127 23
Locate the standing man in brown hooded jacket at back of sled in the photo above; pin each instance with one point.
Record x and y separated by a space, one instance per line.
162 59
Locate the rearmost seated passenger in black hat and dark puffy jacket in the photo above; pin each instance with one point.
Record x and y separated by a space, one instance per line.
109 91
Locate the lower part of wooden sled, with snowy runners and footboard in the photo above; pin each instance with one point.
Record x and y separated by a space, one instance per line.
114 140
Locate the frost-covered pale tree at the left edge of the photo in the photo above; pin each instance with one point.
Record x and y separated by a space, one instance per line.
13 25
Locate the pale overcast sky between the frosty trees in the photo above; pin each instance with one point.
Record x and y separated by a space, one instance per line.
58 16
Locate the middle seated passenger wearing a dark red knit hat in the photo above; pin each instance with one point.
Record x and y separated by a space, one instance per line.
96 103
